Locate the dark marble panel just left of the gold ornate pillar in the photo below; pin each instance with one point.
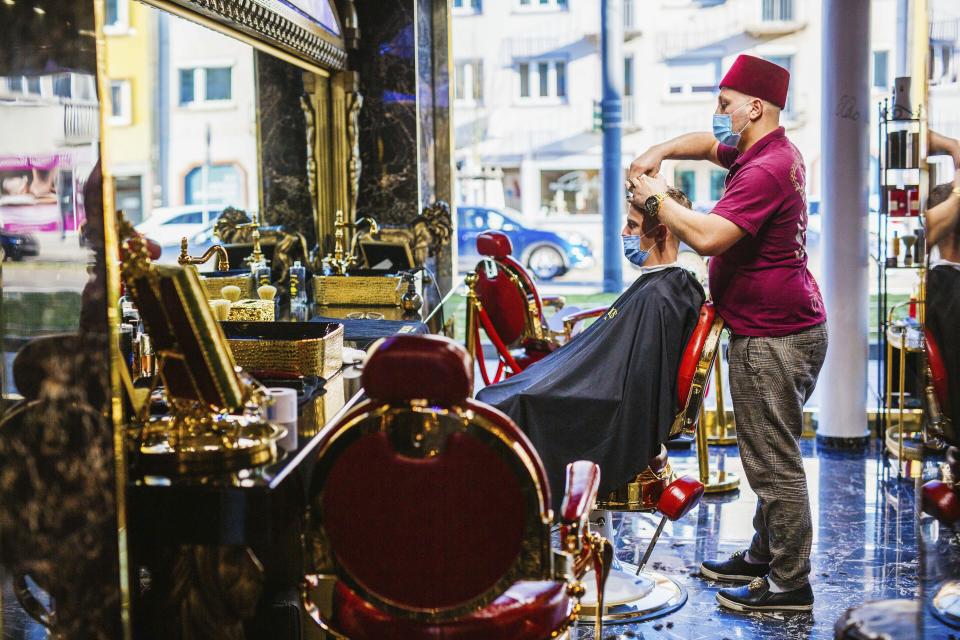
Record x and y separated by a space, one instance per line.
283 147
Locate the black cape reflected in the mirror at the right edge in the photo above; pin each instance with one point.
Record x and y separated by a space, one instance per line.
943 322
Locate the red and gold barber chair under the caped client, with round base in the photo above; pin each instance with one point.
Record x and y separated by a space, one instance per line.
634 593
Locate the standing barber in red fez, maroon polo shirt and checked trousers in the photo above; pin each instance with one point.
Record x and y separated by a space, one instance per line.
772 306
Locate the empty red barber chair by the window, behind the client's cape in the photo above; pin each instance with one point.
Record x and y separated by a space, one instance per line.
503 299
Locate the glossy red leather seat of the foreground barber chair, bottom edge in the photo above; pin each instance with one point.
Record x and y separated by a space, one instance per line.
525 611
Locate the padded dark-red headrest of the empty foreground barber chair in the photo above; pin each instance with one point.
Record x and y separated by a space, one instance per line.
403 368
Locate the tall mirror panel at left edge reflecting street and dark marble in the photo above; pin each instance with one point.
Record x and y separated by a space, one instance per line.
58 518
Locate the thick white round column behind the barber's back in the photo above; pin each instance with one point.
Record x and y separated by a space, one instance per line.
845 141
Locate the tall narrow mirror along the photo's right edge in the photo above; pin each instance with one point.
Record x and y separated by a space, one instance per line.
942 318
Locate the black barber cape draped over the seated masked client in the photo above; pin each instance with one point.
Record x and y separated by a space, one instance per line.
610 395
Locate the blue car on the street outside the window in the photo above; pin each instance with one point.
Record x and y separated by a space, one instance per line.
545 253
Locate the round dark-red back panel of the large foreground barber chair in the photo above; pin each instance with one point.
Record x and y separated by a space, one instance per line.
430 532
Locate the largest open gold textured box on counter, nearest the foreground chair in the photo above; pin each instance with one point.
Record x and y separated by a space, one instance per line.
296 348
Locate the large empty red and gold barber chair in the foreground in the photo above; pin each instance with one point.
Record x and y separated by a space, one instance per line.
429 513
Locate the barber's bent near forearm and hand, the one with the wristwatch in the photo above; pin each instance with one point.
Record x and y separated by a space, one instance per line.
708 235
